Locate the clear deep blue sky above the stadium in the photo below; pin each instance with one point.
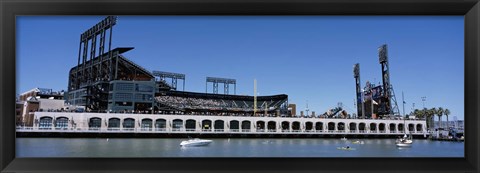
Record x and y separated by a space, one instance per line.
310 58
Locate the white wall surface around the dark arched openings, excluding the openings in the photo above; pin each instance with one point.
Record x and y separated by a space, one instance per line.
80 121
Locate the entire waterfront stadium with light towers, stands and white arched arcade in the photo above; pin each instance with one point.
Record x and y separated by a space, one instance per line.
108 94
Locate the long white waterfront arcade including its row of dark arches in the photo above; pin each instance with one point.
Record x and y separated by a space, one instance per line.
168 124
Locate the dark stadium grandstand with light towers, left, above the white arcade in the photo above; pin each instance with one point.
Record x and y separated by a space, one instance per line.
110 82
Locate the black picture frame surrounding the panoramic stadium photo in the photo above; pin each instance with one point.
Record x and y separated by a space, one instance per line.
9 9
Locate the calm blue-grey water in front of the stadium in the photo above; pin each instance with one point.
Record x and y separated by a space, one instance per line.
234 147
